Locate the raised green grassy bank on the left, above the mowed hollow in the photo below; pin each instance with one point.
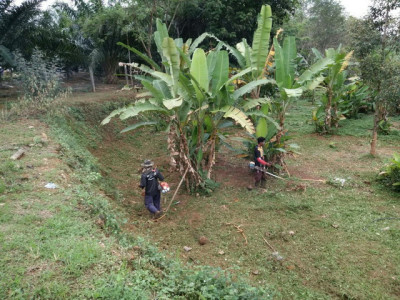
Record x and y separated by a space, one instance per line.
52 248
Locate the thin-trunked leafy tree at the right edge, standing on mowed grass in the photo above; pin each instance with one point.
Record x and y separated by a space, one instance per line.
376 45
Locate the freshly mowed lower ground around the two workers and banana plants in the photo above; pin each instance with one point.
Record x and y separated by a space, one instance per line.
336 241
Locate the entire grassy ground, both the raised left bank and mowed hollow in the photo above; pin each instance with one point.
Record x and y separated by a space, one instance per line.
336 241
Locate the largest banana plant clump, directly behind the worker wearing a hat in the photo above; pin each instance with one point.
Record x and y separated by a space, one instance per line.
193 92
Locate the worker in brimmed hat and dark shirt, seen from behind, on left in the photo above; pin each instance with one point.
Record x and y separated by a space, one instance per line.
152 191
